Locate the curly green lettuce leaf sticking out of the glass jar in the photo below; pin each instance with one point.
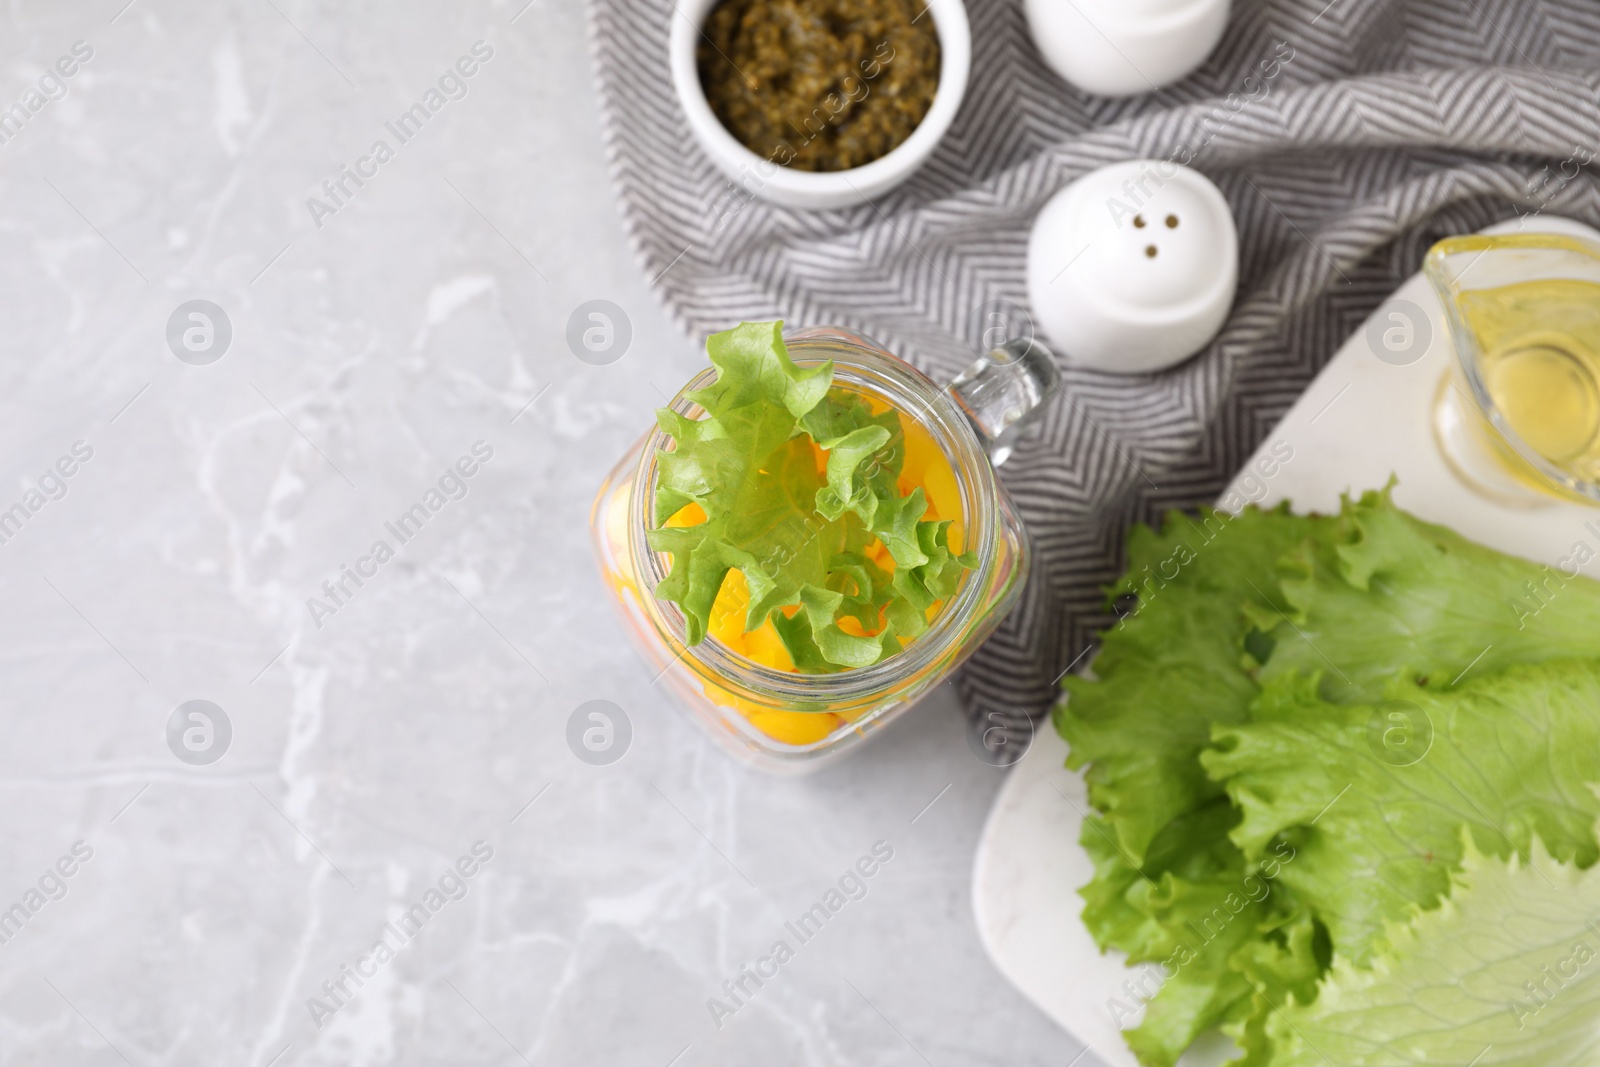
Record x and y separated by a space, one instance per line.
798 537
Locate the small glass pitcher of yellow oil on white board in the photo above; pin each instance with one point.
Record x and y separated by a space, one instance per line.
1519 414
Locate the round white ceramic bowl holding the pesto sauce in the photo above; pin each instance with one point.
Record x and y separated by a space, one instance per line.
780 185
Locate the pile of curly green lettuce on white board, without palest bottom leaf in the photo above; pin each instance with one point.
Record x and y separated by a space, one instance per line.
1292 637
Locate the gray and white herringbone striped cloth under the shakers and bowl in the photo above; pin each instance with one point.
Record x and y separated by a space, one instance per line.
1386 127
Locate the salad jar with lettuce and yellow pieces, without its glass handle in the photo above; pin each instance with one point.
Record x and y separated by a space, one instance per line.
812 540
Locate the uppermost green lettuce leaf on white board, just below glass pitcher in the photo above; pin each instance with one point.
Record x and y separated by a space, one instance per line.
1393 593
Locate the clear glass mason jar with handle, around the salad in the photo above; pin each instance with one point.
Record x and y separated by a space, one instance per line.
783 721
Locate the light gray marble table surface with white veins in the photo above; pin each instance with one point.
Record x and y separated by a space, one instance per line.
170 521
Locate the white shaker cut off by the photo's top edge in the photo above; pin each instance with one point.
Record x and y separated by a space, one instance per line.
1126 47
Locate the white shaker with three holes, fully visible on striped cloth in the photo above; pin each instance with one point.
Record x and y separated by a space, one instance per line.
1134 268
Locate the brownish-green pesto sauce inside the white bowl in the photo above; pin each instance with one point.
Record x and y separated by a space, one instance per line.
820 86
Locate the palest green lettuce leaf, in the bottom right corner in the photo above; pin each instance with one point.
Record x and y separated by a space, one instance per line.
1505 973
